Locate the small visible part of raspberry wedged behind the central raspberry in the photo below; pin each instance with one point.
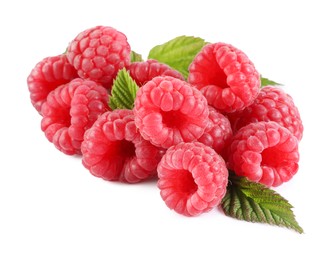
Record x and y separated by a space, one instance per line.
218 132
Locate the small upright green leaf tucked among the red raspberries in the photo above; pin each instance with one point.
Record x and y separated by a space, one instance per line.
123 91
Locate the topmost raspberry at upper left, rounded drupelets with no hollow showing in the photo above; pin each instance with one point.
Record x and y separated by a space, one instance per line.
98 54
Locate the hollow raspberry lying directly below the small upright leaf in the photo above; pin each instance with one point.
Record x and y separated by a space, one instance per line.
114 150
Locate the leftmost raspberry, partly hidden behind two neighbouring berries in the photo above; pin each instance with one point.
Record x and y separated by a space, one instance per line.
47 75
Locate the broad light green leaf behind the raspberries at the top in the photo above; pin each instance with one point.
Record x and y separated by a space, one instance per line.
178 53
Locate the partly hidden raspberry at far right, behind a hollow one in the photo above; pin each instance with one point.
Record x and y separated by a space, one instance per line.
272 104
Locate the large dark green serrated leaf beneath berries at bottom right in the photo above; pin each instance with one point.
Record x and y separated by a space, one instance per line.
254 202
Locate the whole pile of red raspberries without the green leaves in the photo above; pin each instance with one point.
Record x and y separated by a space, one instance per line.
187 133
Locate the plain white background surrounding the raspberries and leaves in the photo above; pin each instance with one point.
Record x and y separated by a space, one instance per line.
51 207
